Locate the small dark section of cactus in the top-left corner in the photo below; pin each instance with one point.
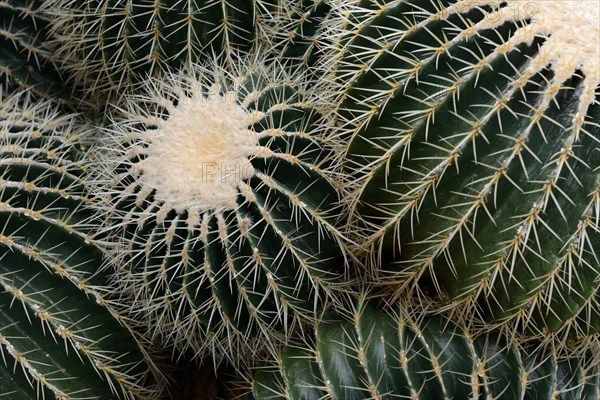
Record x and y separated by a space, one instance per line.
25 56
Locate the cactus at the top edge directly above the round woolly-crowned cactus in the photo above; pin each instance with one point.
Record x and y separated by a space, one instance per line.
110 46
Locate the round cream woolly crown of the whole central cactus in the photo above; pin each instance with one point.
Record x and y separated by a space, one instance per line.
199 156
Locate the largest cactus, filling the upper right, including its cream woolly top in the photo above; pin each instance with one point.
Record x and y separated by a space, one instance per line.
474 148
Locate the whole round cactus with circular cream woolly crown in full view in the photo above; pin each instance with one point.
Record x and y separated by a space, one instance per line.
217 186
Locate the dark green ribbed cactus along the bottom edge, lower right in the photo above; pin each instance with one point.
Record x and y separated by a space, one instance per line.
388 356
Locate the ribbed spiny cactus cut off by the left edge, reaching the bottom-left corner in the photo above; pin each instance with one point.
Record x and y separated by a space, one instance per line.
58 336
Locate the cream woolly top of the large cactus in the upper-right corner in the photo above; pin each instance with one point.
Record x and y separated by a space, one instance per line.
571 29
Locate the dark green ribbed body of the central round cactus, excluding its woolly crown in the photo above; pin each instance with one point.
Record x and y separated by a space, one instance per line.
234 286
